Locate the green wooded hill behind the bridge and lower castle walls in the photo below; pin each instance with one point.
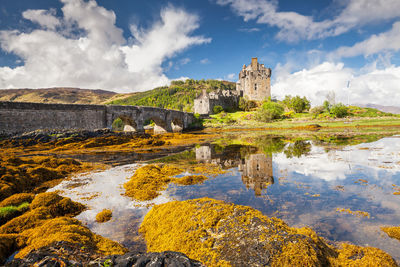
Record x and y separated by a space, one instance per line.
179 95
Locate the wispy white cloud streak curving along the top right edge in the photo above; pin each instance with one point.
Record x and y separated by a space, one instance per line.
294 26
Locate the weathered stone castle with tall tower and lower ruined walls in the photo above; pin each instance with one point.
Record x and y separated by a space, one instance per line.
254 84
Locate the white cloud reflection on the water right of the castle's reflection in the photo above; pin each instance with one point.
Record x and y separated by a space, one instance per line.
336 164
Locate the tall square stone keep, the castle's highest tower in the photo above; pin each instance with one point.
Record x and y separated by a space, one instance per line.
255 81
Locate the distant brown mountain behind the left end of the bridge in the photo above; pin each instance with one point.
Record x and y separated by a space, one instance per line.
59 95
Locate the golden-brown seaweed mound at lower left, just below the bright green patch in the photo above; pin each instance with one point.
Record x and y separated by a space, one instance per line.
33 228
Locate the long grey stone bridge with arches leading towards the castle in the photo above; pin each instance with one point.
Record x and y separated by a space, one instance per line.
19 117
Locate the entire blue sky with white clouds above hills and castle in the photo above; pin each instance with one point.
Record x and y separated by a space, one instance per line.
315 48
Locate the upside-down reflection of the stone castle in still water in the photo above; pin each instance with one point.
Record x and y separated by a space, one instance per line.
256 168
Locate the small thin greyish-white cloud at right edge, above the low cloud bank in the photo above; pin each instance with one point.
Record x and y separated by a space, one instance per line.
386 41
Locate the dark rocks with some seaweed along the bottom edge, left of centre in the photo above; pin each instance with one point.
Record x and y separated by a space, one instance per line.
70 254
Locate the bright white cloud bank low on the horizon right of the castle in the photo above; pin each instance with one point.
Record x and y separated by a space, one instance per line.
378 86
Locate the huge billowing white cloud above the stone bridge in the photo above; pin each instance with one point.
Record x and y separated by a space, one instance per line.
89 51
